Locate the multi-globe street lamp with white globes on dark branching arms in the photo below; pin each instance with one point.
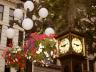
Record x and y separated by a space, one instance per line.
29 19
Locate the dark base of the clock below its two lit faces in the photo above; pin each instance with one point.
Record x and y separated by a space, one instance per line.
73 63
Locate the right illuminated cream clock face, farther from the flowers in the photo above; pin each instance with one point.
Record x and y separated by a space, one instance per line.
77 45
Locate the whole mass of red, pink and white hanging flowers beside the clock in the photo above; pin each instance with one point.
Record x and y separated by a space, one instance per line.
38 48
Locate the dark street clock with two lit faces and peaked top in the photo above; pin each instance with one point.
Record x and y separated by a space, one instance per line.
72 53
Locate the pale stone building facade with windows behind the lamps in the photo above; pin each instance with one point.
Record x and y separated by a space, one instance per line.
6 14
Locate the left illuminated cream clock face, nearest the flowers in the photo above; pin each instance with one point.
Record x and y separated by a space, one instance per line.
64 45
